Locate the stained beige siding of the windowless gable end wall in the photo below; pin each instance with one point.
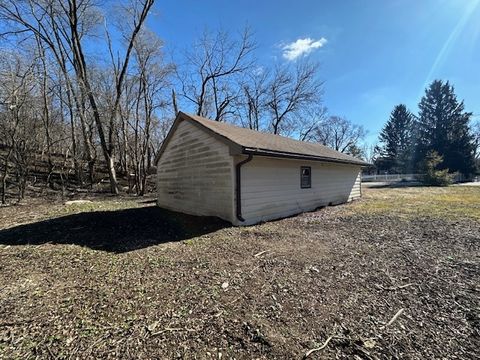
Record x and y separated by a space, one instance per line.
194 174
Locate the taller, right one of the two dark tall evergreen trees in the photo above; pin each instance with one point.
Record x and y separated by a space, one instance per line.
443 126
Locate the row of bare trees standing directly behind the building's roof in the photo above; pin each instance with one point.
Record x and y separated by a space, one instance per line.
221 78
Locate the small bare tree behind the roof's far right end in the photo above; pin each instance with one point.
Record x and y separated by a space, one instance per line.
339 133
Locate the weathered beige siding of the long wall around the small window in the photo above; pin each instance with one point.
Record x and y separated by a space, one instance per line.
271 187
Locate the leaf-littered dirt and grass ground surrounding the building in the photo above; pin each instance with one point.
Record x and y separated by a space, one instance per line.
395 275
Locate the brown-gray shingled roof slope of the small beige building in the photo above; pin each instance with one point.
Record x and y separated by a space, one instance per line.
256 142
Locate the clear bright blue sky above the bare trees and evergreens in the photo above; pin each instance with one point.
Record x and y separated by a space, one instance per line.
373 54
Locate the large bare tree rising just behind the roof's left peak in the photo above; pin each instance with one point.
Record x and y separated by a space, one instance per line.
210 77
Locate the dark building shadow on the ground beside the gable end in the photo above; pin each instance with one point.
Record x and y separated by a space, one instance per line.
114 231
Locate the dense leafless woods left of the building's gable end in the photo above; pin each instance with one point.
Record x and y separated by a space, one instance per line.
61 103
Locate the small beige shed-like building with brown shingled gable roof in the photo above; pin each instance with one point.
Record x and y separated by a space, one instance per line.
210 168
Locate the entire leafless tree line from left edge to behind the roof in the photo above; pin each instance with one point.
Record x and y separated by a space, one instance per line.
86 90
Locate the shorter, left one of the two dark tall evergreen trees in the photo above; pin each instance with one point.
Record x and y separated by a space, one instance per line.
397 141
